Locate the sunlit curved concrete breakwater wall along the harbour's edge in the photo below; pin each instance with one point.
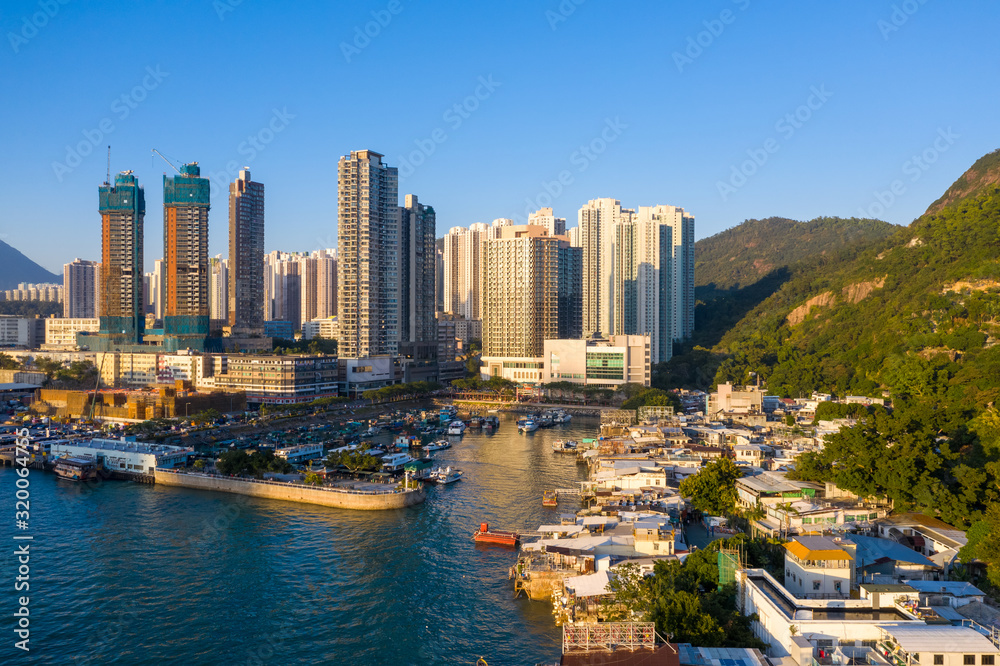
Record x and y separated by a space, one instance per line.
340 498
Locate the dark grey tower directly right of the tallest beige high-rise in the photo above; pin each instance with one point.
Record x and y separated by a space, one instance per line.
417 269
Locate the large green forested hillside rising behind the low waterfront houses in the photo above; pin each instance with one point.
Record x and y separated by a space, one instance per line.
915 318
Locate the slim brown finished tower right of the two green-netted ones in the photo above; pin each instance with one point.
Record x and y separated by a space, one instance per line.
246 256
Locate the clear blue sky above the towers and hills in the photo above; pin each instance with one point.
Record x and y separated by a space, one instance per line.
674 126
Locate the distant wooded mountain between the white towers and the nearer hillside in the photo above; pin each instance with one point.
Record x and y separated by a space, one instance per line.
743 255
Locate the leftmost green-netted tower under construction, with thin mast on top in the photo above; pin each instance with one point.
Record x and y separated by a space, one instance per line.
122 207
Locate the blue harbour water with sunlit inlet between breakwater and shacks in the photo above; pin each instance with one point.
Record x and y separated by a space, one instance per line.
133 573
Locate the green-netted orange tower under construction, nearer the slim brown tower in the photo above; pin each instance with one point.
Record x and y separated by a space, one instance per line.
185 244
